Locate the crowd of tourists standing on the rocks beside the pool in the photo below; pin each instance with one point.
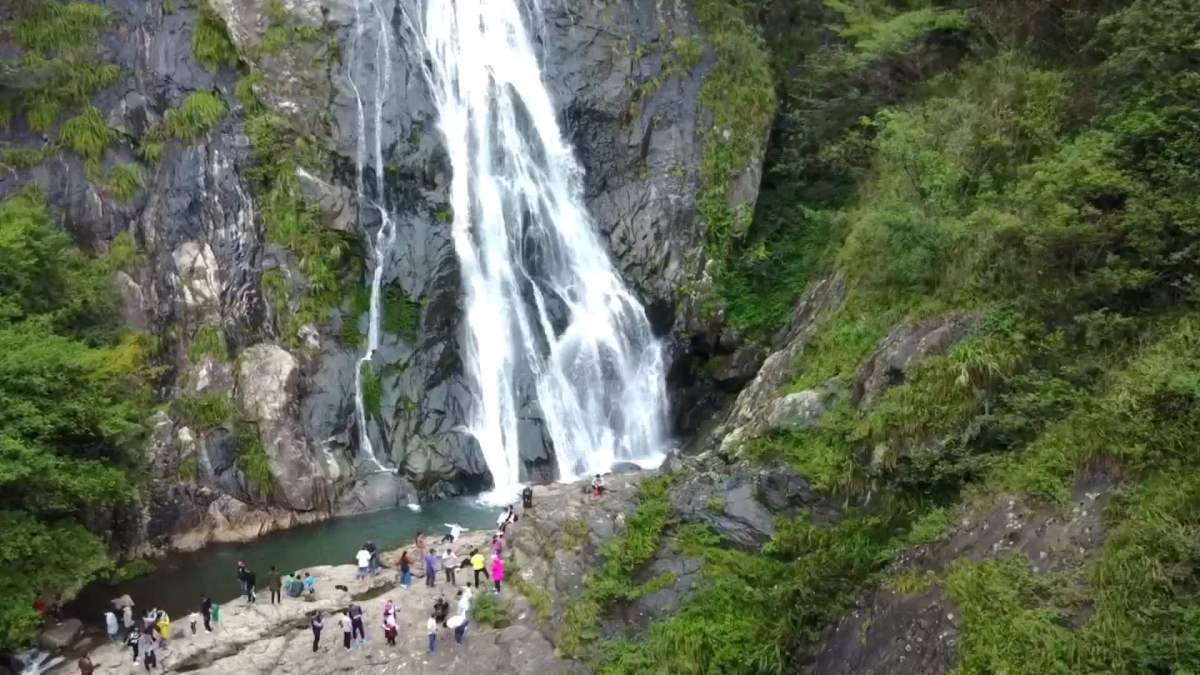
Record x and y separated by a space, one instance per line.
148 638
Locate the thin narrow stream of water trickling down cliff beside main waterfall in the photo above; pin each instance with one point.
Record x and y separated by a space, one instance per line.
386 237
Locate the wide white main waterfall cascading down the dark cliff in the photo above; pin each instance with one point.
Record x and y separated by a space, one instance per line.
544 303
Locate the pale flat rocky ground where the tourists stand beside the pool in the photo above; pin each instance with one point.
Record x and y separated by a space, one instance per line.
275 640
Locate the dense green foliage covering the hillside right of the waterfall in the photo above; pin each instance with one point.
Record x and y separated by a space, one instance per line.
1030 170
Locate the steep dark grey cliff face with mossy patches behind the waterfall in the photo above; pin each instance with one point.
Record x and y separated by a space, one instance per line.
231 298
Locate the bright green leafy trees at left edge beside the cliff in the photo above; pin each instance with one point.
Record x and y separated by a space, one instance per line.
75 395
